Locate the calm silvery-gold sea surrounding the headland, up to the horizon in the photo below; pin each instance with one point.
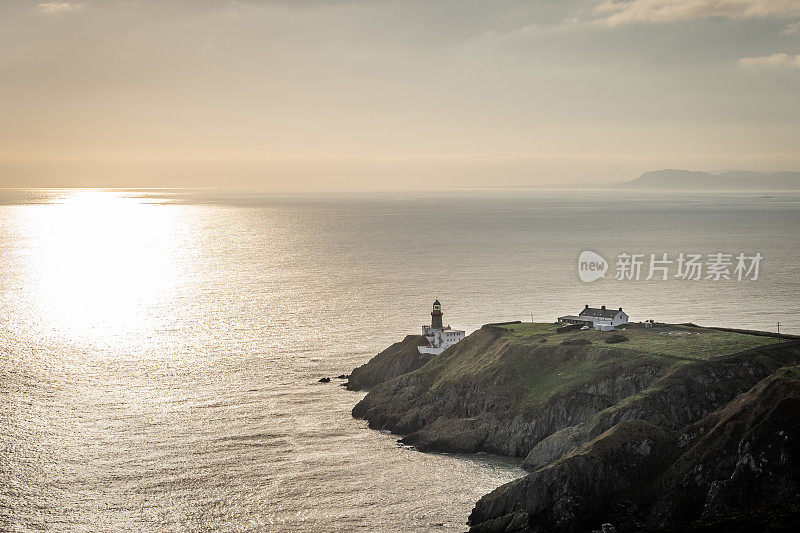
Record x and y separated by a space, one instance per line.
160 350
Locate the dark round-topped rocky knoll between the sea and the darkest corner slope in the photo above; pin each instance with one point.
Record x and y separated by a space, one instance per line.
607 477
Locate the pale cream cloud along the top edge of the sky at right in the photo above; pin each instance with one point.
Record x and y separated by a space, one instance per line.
616 12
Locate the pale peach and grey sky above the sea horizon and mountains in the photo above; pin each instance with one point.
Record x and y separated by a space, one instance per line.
317 95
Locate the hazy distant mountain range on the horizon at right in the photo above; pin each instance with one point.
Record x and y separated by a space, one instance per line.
670 179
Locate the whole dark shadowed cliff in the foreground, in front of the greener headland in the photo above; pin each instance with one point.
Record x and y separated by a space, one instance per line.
736 469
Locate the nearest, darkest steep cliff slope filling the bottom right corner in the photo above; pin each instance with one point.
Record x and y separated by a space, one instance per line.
739 459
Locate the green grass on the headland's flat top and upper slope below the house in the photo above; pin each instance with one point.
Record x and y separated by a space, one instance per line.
527 365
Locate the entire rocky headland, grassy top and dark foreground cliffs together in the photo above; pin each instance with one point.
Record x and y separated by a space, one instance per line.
672 428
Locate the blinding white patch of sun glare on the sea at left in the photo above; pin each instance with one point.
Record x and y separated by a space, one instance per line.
98 263
